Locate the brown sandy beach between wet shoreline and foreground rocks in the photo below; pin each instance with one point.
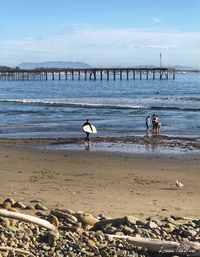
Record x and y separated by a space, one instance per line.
111 183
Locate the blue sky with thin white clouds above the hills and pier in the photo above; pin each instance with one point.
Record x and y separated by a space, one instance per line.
101 33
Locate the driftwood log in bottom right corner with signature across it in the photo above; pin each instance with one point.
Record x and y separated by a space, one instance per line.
186 248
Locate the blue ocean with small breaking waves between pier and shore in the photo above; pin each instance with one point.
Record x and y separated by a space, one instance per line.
48 109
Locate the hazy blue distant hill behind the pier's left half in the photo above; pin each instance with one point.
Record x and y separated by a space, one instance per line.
53 64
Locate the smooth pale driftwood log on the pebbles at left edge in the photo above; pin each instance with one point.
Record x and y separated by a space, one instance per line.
27 218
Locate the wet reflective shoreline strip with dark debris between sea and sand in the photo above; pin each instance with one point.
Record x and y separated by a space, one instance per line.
126 144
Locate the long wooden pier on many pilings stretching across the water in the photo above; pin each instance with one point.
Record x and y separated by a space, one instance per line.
88 73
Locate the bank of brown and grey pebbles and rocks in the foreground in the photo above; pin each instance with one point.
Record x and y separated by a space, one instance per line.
82 234
